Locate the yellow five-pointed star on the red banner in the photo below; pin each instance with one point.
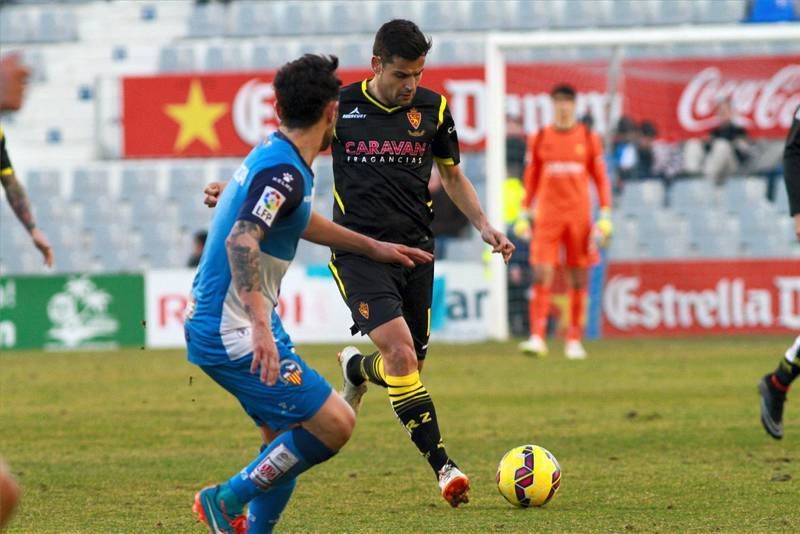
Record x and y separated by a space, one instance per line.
196 118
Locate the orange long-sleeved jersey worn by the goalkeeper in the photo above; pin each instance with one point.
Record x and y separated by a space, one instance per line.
559 166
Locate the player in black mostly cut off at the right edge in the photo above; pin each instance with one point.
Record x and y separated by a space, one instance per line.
774 386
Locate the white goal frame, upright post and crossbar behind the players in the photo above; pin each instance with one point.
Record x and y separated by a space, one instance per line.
498 45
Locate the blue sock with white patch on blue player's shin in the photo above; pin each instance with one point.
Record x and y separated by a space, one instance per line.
286 457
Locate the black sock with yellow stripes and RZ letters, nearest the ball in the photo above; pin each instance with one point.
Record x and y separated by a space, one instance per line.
414 407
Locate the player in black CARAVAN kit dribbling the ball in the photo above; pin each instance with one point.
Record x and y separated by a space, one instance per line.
389 133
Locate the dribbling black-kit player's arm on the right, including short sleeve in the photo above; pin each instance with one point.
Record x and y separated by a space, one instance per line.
459 188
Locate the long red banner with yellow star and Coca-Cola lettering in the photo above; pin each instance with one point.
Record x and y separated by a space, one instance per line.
226 114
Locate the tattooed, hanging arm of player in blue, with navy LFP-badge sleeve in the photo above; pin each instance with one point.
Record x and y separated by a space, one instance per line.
269 198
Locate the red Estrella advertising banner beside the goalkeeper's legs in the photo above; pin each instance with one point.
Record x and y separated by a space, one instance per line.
701 297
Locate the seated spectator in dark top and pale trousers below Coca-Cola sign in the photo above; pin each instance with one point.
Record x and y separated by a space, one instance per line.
723 153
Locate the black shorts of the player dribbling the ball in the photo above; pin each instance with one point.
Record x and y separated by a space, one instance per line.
377 292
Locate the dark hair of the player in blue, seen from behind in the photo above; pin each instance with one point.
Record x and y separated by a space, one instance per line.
304 87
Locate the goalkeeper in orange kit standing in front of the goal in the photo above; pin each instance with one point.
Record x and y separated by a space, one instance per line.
562 159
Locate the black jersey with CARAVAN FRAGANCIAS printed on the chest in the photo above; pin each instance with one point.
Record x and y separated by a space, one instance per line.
382 159
